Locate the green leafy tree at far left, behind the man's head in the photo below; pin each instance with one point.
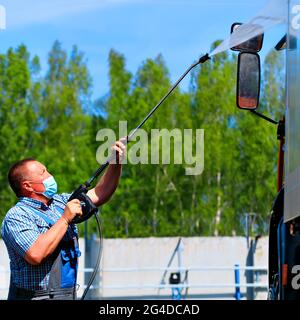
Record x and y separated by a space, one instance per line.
17 116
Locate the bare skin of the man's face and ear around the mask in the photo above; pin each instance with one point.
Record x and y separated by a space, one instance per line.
35 174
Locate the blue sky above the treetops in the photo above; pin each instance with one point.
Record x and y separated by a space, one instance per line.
180 30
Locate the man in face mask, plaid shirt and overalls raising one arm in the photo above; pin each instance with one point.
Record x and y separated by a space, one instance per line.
38 232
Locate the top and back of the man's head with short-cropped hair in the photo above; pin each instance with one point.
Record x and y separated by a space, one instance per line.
26 169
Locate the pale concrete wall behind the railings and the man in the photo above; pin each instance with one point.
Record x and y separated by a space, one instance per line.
141 253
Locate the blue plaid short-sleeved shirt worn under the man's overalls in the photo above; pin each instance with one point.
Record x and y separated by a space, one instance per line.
20 229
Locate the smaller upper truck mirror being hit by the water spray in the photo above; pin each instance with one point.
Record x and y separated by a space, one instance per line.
252 45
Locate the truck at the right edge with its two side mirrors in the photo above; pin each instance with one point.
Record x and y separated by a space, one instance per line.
284 223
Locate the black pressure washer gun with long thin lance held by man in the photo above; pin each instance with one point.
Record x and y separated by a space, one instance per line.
88 208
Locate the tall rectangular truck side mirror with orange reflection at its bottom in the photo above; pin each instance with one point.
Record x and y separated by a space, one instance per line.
248 81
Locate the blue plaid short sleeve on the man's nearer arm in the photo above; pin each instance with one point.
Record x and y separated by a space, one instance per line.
19 233
